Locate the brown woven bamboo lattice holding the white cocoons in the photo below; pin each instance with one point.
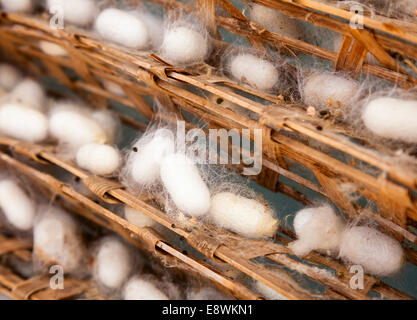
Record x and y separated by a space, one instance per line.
142 74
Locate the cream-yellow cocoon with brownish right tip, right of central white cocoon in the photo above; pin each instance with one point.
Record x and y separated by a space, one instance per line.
247 217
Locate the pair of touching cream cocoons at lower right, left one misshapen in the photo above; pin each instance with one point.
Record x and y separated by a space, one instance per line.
323 230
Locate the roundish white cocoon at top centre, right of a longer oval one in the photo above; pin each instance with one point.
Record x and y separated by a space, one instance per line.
183 45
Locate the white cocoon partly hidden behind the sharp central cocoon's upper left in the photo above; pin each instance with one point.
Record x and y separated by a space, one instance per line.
144 165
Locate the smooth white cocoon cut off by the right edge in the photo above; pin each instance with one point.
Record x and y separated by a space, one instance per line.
392 118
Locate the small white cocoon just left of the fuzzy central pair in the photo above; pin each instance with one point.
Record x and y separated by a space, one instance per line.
99 159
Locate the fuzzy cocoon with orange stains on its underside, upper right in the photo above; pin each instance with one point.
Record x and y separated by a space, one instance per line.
323 90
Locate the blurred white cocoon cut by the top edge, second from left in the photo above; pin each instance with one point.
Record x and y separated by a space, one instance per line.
78 12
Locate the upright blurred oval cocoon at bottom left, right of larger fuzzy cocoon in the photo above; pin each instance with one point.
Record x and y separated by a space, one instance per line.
113 264
